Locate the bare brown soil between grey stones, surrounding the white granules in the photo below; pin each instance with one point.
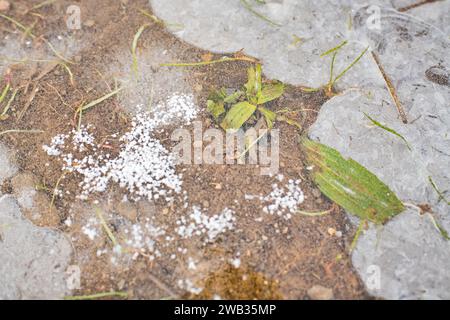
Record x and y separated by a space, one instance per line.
288 257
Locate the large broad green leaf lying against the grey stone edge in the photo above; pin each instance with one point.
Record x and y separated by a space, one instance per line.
350 185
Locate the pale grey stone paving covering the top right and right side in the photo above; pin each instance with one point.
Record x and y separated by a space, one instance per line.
413 48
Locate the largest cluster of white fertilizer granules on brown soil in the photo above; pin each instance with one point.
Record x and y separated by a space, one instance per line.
144 167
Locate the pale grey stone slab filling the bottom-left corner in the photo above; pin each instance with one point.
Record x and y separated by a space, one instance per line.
33 259
